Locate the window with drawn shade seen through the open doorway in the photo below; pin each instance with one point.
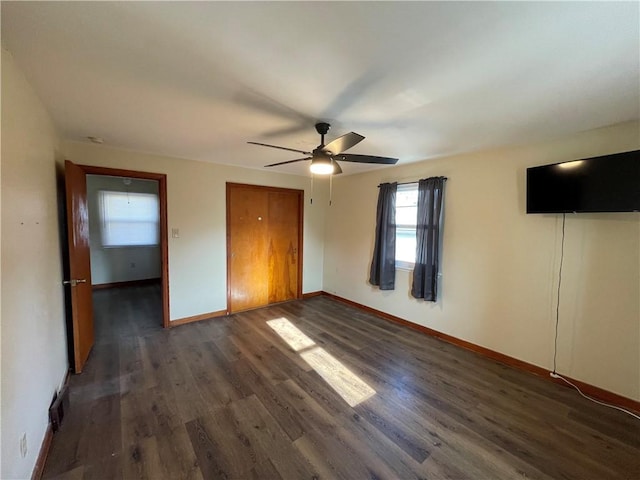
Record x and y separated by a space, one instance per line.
129 219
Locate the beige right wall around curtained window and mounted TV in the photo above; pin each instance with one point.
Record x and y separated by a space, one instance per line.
500 265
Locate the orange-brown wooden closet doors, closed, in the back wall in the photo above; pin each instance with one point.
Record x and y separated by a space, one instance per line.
264 245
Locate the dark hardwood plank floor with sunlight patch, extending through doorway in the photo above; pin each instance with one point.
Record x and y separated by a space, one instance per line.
317 389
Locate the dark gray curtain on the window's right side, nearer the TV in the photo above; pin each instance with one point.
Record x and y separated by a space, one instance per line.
425 272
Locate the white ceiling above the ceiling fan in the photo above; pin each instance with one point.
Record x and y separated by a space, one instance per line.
417 79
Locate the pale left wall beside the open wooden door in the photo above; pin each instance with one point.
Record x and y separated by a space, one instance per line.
34 354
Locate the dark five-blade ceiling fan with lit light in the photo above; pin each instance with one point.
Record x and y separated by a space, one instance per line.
323 157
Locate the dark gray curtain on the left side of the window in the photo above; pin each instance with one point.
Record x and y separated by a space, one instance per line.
383 265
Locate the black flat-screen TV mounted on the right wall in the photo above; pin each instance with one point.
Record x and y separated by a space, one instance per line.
601 184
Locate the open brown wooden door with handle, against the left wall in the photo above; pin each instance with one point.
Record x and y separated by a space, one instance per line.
79 264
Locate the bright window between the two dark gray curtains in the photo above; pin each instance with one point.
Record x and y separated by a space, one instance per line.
406 217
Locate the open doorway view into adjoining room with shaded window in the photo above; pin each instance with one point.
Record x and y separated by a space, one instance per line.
124 246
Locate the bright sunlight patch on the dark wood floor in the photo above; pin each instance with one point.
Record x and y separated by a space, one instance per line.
346 383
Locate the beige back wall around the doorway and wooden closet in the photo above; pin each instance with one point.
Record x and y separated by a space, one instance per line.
196 206
